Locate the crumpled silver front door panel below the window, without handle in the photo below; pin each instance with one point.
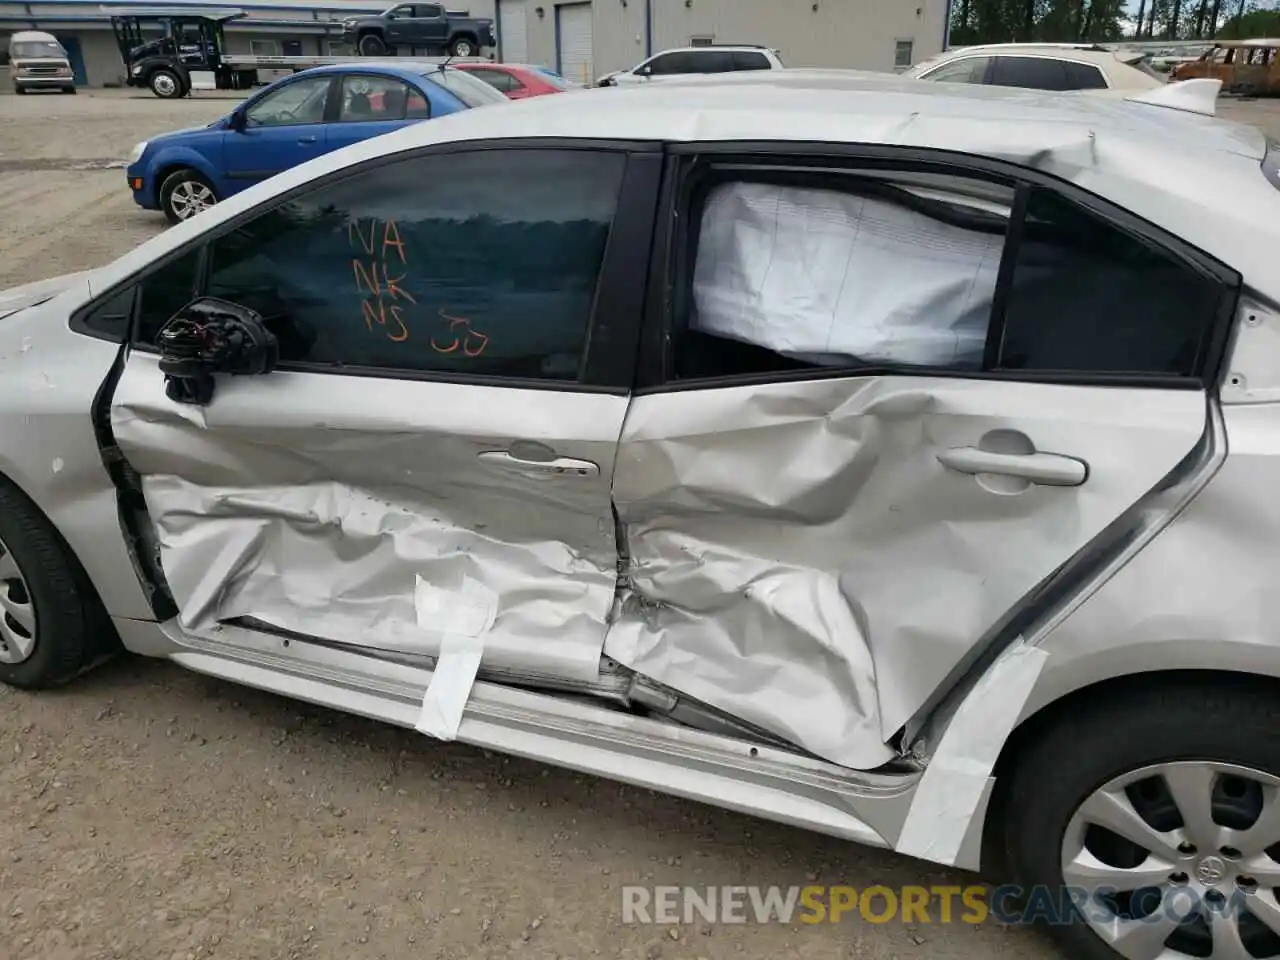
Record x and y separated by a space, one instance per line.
316 504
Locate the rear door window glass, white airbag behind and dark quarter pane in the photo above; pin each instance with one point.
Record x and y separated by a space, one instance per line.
904 273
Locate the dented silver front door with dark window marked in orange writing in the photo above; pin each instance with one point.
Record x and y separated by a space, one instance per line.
435 437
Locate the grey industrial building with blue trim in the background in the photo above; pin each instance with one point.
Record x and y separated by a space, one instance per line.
580 39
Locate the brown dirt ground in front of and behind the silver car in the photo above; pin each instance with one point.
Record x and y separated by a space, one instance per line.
153 815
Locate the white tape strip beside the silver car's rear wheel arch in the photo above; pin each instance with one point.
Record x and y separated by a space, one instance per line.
950 790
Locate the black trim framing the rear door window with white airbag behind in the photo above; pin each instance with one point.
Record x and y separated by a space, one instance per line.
655 374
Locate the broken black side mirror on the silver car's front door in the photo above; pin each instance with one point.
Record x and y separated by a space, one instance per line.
208 337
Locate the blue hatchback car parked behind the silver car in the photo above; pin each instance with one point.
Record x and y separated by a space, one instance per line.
291 122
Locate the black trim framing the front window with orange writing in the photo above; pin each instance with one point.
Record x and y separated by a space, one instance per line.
609 349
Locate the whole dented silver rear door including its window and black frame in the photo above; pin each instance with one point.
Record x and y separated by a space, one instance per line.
883 405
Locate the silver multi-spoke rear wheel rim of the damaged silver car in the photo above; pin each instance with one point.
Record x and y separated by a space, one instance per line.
1180 861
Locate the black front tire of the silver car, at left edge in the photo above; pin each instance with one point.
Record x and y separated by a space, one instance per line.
71 632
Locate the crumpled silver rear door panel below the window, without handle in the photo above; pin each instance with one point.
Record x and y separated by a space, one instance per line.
803 561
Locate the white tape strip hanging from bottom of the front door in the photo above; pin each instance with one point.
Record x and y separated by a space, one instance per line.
464 616
